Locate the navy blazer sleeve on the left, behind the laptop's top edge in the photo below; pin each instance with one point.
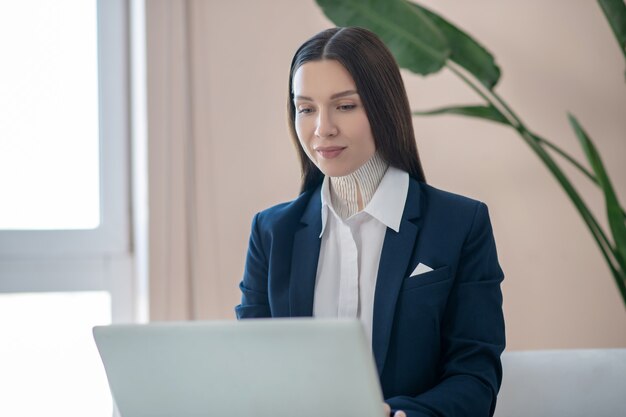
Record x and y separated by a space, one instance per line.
254 297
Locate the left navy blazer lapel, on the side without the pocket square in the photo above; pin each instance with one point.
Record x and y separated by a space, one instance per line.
304 257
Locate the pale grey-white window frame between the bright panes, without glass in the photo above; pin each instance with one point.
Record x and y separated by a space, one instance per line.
99 259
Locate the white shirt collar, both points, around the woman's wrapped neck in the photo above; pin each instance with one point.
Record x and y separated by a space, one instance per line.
387 204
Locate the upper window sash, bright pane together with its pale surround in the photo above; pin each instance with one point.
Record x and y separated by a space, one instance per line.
74 180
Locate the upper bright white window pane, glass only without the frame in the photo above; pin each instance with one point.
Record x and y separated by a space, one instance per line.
49 167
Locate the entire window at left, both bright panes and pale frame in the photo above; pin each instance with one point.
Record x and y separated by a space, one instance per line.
65 259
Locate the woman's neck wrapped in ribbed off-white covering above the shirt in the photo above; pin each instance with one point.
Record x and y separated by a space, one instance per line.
351 193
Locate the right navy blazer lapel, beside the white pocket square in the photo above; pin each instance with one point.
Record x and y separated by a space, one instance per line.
394 262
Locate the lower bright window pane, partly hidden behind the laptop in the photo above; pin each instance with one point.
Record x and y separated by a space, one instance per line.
50 366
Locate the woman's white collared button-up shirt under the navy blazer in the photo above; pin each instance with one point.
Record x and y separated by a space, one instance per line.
350 251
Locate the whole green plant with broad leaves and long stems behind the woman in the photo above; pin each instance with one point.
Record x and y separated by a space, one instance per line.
424 43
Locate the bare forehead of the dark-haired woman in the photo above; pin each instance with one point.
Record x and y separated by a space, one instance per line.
321 79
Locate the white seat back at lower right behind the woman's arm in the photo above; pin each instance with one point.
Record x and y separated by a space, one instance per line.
563 383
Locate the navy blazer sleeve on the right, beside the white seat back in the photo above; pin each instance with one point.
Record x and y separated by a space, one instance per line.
472 334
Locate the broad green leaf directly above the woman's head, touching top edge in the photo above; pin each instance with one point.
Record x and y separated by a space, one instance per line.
416 42
